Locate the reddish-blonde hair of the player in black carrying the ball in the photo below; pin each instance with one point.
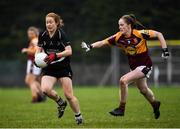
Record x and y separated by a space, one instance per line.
56 18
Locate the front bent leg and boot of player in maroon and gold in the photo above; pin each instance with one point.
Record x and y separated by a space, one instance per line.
123 92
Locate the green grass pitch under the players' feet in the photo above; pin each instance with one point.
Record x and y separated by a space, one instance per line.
17 111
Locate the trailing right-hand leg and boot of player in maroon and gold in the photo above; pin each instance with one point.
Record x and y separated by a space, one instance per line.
148 94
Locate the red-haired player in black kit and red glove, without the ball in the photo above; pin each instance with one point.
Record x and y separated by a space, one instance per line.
53 41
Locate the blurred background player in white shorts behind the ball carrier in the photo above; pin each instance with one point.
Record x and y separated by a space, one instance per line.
33 72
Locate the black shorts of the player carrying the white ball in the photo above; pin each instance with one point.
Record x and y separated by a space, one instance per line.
58 72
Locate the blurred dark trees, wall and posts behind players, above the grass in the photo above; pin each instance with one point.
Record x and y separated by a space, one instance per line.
89 20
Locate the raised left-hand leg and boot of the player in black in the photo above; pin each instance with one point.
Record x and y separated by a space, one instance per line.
47 88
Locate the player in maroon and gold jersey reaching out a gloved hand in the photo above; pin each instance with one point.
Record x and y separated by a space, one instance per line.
133 42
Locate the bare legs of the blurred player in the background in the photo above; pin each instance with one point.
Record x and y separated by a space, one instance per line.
34 86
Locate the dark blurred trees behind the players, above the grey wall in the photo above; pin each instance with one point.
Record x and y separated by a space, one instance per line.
88 20
